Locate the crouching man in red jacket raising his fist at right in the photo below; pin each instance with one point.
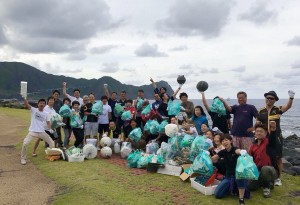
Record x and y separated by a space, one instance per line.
263 151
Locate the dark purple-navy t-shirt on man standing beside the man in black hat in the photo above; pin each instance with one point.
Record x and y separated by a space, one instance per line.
243 119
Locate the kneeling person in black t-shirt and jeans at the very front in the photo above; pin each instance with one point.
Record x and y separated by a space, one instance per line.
230 155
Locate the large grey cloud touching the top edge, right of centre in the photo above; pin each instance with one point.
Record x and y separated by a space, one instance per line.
201 17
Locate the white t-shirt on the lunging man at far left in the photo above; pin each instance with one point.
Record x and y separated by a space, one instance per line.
38 120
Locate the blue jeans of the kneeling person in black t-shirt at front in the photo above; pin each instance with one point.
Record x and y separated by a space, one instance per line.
225 186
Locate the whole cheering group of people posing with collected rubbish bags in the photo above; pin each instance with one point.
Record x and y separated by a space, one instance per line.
261 139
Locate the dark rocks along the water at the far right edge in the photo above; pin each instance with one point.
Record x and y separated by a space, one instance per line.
291 155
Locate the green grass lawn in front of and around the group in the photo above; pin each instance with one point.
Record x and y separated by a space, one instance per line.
98 181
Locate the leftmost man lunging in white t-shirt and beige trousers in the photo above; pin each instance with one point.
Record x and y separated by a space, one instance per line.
39 118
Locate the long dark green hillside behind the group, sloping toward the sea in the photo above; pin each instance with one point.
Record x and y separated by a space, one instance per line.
41 84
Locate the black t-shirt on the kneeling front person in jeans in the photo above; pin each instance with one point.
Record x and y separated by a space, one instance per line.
230 159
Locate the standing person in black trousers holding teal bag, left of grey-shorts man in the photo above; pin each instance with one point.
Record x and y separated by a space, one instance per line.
78 130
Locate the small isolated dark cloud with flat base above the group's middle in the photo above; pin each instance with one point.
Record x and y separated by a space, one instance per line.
146 50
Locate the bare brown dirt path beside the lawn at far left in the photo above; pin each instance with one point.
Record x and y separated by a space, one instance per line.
20 184
